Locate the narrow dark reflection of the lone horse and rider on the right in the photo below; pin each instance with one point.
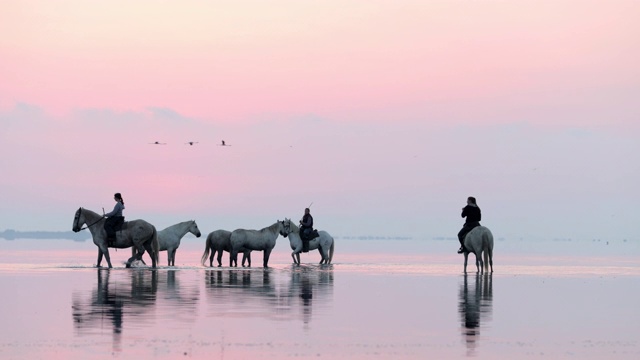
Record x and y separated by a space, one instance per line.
475 304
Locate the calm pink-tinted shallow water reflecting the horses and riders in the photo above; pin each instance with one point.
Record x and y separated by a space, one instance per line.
378 300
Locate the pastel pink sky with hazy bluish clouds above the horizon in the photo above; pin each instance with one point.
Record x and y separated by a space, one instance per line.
407 108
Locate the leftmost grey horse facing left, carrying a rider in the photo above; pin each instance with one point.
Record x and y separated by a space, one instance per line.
136 233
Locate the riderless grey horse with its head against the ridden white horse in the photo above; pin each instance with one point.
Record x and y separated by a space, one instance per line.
242 240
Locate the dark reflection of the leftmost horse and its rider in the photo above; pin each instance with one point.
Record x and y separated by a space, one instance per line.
128 295
